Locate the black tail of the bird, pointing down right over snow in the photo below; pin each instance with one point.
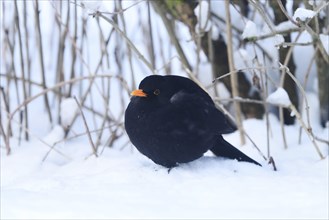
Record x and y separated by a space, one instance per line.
224 149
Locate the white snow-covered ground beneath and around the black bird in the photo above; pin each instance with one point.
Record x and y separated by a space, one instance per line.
122 183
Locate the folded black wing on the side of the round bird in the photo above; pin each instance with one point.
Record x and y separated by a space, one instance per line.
190 113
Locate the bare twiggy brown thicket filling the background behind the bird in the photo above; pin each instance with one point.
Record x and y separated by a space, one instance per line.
98 54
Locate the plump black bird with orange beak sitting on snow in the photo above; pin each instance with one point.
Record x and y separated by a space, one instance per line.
171 120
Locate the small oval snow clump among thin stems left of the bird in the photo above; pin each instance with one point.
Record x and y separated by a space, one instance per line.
69 108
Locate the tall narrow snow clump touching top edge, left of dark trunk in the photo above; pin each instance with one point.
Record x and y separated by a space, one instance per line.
202 13
